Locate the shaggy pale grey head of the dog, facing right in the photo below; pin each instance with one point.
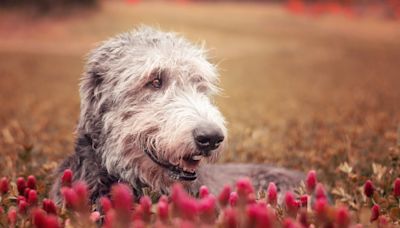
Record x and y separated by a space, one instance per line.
146 104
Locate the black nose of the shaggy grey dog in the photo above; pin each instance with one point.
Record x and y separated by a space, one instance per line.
208 137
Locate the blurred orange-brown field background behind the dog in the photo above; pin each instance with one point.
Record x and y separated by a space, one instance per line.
306 84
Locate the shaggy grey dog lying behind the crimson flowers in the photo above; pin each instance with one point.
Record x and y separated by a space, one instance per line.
147 119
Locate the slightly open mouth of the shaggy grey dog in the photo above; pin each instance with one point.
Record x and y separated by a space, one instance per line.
185 170
